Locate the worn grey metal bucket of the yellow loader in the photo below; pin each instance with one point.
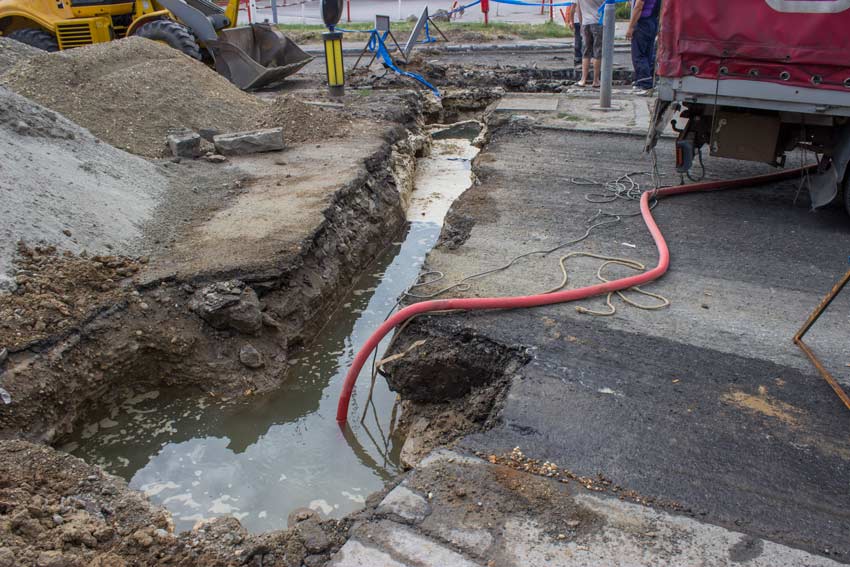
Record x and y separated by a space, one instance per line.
256 55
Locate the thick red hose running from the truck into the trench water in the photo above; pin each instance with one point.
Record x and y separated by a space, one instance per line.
472 304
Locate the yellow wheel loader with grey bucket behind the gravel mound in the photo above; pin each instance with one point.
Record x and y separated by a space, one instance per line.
250 56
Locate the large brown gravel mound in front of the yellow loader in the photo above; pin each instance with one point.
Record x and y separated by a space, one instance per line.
133 91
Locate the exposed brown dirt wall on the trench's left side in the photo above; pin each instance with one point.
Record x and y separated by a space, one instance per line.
157 333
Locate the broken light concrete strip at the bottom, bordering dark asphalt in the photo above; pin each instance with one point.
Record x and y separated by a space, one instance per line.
505 517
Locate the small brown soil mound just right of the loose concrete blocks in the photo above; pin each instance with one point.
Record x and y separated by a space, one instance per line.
305 123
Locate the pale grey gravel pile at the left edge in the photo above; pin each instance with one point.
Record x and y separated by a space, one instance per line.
61 186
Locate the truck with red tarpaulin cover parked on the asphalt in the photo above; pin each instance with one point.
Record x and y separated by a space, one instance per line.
755 79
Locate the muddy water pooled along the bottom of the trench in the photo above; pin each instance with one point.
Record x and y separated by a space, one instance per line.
260 458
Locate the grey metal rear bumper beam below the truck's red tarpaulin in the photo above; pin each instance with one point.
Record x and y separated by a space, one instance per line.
744 93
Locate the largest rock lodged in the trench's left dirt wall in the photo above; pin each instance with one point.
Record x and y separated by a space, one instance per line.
229 305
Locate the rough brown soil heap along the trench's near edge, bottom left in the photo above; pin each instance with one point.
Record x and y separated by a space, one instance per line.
57 510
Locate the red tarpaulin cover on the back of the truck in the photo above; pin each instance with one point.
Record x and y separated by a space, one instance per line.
758 39
